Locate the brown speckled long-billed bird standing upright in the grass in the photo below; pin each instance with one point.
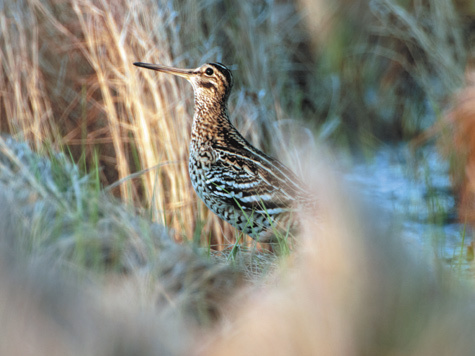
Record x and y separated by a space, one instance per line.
252 191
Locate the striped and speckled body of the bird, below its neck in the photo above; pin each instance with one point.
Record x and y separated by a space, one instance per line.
245 187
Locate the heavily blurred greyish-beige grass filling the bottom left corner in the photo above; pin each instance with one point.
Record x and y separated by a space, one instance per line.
45 312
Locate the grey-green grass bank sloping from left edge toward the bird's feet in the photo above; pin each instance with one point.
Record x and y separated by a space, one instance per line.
53 213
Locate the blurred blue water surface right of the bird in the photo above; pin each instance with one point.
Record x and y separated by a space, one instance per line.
414 188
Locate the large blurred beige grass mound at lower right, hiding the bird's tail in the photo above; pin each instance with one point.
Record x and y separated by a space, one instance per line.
351 288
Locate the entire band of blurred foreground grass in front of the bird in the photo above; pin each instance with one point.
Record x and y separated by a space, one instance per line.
92 277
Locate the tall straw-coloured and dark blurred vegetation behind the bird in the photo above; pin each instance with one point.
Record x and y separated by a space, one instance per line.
353 74
